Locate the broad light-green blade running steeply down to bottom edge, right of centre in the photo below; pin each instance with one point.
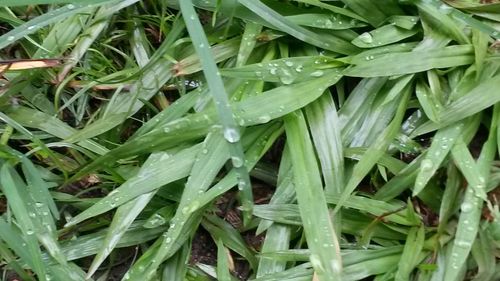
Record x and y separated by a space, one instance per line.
320 235
